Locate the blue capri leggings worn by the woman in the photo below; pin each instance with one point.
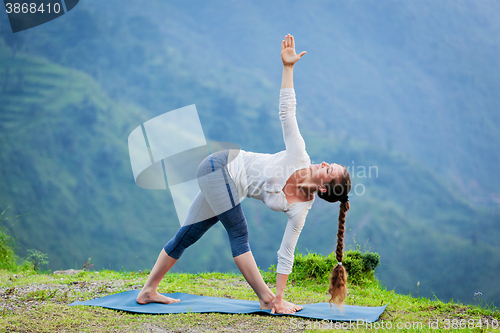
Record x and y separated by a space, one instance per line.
219 192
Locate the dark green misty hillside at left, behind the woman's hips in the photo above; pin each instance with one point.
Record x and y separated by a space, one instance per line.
65 167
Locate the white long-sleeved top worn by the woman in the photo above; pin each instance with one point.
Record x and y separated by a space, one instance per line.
263 176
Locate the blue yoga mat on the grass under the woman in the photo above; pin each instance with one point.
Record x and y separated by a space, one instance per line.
126 301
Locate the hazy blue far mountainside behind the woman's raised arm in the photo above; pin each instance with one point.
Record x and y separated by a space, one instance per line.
419 78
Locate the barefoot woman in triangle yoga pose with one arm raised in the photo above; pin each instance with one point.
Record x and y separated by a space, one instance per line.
285 181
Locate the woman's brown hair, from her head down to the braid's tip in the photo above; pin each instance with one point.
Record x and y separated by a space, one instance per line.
338 280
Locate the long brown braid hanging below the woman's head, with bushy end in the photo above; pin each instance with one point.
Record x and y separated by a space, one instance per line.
338 280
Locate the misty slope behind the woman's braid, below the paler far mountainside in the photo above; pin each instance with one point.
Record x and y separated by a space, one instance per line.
424 235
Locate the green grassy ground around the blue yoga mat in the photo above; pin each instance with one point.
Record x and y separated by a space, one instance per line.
34 302
